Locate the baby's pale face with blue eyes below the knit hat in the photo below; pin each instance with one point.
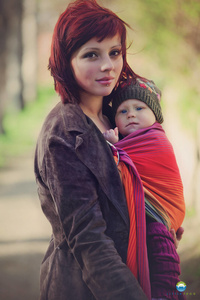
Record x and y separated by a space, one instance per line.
132 115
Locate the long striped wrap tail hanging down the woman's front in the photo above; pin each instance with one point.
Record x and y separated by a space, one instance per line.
137 258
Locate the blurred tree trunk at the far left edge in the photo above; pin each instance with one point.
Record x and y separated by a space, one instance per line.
11 83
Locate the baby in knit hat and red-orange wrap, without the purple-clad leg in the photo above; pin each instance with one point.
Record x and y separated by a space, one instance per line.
138 116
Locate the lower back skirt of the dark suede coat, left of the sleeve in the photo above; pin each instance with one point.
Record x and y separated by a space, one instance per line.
61 277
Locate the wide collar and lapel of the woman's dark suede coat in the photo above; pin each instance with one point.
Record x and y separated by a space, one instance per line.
93 150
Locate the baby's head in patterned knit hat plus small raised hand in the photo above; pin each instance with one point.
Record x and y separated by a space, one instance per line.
133 109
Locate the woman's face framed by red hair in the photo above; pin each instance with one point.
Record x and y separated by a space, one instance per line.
97 66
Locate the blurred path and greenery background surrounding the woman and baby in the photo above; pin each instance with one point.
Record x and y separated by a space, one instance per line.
164 46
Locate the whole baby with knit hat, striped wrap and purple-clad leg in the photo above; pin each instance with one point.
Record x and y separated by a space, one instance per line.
138 117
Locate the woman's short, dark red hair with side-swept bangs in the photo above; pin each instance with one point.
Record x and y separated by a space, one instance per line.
80 22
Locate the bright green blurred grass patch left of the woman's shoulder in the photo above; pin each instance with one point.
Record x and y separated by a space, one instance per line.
22 127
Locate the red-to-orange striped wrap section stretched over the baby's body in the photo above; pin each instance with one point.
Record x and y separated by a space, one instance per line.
153 156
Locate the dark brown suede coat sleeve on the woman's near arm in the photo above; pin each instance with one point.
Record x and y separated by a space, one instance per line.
74 190
